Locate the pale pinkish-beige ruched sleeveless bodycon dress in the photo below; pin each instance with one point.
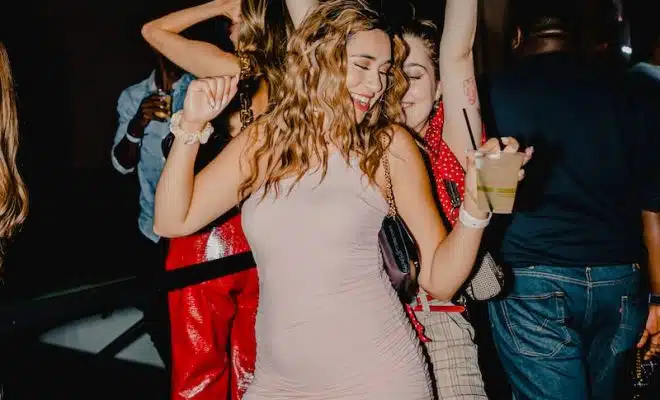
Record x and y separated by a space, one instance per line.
329 325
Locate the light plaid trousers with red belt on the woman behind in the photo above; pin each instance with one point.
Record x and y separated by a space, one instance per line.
452 351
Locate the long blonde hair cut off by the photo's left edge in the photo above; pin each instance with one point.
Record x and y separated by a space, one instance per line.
13 194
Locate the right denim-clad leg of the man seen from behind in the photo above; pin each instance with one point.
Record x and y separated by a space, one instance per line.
617 320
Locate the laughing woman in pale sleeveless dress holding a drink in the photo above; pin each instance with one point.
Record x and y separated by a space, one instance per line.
310 177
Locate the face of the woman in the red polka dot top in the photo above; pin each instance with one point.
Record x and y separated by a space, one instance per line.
424 88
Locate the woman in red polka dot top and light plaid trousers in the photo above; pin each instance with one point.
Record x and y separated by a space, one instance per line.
435 112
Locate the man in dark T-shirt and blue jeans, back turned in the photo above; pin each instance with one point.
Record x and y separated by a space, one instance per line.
578 301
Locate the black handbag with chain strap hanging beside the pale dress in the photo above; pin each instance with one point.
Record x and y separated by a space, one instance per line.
398 247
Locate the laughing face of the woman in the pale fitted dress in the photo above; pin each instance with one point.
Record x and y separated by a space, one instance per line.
369 60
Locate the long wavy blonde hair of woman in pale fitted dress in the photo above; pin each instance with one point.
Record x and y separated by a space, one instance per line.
314 95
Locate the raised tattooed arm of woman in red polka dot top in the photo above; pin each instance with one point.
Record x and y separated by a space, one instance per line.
459 87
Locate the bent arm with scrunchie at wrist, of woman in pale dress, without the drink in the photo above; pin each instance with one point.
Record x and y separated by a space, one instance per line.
184 202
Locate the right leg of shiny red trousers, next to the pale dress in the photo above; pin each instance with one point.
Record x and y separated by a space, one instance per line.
243 347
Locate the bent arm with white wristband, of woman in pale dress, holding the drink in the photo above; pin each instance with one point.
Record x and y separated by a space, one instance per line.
446 260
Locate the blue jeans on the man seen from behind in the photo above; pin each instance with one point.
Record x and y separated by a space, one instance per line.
564 333
